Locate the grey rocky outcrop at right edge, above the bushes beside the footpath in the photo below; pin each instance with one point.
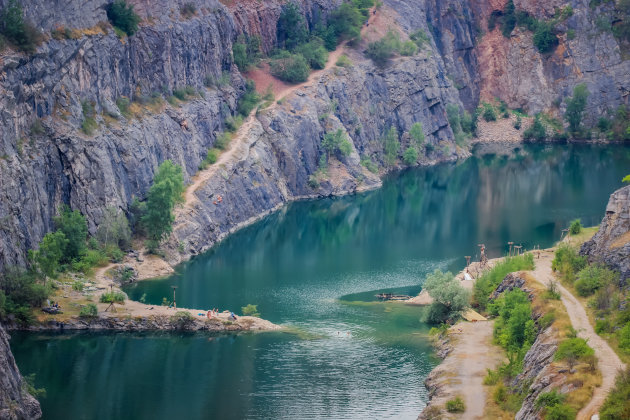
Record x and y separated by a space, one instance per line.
611 244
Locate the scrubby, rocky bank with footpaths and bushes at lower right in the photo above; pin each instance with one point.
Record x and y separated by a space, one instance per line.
541 357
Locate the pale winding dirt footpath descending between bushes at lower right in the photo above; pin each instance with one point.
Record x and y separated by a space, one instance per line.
608 361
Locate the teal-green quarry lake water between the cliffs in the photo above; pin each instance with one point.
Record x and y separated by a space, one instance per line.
316 266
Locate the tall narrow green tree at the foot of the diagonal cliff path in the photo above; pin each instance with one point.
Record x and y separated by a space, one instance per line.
166 191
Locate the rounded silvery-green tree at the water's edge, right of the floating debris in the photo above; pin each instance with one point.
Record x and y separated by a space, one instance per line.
450 299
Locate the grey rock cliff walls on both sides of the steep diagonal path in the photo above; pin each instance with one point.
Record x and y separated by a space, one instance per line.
40 171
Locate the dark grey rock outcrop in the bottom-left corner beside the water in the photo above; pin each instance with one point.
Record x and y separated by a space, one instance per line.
15 401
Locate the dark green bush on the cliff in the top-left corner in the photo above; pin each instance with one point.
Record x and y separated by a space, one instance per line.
14 29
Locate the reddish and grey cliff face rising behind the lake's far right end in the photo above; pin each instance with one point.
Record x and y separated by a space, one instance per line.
513 70
